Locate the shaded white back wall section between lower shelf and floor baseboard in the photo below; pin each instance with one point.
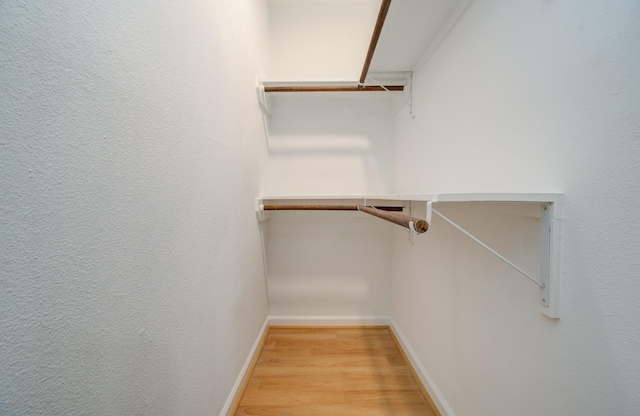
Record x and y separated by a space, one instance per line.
328 264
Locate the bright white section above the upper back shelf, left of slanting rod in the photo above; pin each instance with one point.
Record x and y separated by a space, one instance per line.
319 40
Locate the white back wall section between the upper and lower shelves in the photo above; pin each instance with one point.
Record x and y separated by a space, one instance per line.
330 144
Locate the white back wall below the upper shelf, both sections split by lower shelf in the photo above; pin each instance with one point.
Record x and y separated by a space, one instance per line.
331 263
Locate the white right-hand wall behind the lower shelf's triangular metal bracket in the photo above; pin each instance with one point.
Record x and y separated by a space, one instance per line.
527 96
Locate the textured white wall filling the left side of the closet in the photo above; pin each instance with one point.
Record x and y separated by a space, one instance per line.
130 154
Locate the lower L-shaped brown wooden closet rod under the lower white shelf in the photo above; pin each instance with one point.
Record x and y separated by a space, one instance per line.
420 226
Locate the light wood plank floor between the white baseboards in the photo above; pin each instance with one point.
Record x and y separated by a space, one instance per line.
332 371
